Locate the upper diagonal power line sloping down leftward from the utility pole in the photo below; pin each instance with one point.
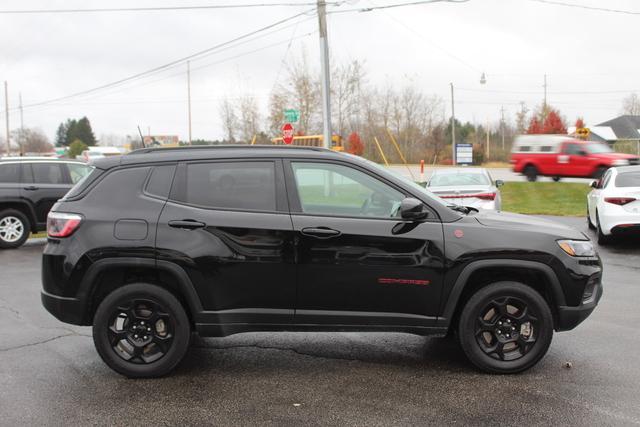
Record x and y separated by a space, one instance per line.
167 65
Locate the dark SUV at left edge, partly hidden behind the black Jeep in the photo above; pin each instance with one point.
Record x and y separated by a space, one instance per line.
29 186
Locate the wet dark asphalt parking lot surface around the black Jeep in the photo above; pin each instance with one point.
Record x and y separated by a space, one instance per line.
51 374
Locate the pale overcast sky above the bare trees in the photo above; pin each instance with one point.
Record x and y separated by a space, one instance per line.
590 58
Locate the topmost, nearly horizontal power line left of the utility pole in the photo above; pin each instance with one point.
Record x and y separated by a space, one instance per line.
160 8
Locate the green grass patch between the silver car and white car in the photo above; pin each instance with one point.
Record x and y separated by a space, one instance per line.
545 198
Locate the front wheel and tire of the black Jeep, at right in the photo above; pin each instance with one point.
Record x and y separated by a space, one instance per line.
502 343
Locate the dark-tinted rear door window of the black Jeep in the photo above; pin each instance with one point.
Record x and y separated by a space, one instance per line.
229 185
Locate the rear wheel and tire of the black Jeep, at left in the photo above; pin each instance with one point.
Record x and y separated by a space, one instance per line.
122 321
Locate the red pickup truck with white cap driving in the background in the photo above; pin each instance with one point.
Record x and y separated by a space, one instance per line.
561 156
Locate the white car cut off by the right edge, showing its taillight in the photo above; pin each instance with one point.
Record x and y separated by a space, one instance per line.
613 206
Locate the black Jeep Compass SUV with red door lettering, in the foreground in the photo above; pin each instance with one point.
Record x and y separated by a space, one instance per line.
162 242
